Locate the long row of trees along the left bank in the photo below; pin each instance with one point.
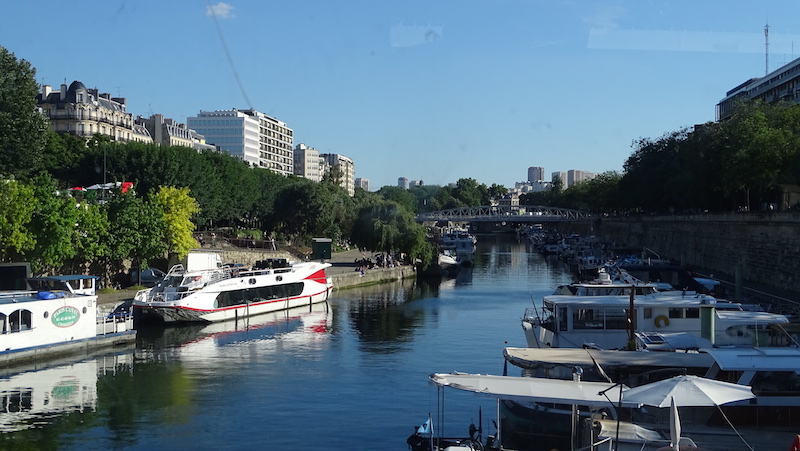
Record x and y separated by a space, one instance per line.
176 191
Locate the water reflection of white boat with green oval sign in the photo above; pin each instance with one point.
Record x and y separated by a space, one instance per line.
36 397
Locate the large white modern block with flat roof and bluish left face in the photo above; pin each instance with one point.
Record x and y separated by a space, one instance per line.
260 140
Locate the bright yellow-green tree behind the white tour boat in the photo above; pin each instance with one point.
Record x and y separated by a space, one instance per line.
177 209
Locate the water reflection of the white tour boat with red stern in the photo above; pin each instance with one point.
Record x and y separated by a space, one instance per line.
304 326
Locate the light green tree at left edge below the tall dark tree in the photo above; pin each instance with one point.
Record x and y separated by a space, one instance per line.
16 207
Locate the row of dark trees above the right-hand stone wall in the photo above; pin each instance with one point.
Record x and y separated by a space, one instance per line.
743 163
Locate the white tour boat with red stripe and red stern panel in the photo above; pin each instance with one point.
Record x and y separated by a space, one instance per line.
206 291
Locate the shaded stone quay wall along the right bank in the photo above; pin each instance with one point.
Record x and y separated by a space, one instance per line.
762 247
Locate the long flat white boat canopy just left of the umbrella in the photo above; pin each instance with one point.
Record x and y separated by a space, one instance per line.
535 389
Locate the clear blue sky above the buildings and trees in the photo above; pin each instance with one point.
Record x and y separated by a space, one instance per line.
429 90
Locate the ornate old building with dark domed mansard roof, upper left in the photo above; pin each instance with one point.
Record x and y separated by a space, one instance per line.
83 112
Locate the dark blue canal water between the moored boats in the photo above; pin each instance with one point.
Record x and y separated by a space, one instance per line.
351 374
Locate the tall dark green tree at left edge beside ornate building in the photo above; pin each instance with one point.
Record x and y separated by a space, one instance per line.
22 127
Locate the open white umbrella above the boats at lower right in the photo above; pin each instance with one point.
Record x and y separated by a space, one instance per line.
687 391
